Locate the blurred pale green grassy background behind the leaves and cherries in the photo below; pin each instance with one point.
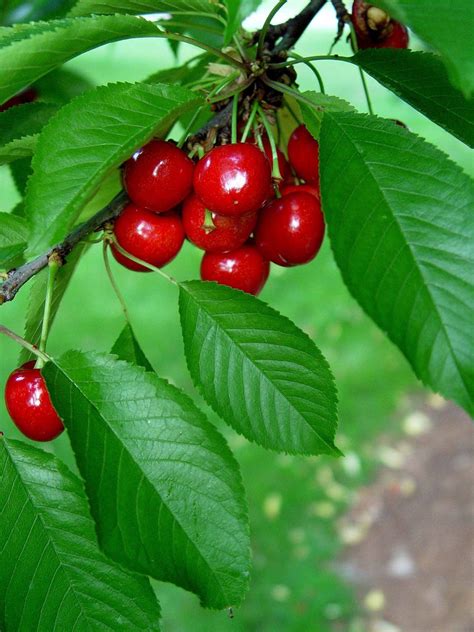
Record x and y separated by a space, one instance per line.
295 503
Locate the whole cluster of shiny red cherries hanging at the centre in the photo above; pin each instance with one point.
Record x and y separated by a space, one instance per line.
227 204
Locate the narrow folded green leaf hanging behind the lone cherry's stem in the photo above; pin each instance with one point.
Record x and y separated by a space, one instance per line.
35 309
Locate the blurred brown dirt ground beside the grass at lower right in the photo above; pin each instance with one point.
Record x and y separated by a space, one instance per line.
410 535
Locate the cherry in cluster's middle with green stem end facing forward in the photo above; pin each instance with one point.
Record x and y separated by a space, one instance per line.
223 233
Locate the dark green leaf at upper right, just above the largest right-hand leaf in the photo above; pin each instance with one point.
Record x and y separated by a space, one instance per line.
421 80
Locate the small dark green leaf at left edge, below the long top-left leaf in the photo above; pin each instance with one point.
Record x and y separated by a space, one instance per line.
19 129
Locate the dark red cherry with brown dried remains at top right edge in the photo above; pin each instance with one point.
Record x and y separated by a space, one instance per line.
374 28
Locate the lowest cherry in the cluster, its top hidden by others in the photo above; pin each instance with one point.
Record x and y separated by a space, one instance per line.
243 269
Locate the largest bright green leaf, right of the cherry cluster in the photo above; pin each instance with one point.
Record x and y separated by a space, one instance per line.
401 226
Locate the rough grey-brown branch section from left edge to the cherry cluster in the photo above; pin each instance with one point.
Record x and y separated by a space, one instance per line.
17 277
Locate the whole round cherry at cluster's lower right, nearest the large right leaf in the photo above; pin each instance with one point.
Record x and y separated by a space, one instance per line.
290 230
